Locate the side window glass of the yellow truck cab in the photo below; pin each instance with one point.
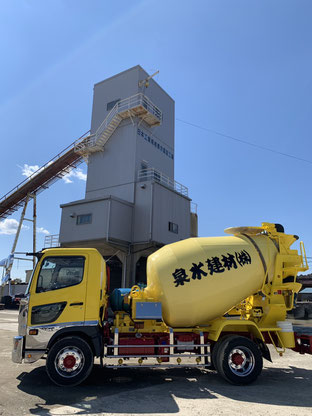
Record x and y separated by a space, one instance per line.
60 272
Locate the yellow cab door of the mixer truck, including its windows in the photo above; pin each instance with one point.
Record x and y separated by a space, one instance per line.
58 292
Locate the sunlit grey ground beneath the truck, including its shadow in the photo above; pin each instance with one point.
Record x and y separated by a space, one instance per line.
284 388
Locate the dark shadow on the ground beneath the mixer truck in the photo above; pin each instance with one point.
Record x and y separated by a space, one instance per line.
275 386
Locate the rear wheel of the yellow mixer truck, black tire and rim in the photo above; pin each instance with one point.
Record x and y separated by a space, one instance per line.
239 360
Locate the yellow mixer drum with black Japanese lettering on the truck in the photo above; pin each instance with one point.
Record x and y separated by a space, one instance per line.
200 279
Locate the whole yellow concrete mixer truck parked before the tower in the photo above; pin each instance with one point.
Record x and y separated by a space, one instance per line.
211 302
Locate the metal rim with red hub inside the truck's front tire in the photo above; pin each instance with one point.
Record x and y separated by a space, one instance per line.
69 362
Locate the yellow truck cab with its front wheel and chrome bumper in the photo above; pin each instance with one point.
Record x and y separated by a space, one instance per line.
62 312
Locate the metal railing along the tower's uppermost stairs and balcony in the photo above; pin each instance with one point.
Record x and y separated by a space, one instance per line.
128 104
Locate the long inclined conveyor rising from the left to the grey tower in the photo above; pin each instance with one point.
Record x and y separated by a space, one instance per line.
47 174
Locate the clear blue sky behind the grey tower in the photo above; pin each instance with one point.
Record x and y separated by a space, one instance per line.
242 68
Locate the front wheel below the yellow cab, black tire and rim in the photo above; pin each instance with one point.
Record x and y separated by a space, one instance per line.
69 361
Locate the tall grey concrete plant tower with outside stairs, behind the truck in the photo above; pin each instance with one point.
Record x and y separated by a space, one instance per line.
132 205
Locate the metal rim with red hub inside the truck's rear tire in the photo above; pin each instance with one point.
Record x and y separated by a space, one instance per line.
241 361
